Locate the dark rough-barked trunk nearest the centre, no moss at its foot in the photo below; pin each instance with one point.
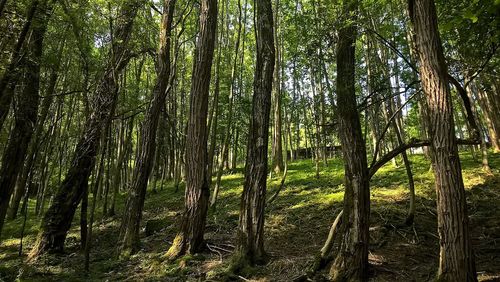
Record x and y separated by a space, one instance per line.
250 249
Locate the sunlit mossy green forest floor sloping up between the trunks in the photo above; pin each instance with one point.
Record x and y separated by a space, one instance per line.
297 224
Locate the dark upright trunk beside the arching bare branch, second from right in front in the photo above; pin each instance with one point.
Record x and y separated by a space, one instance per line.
351 262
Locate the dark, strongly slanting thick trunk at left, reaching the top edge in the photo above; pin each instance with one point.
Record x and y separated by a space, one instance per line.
57 220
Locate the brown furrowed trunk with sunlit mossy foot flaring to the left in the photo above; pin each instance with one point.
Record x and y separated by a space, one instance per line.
190 237
